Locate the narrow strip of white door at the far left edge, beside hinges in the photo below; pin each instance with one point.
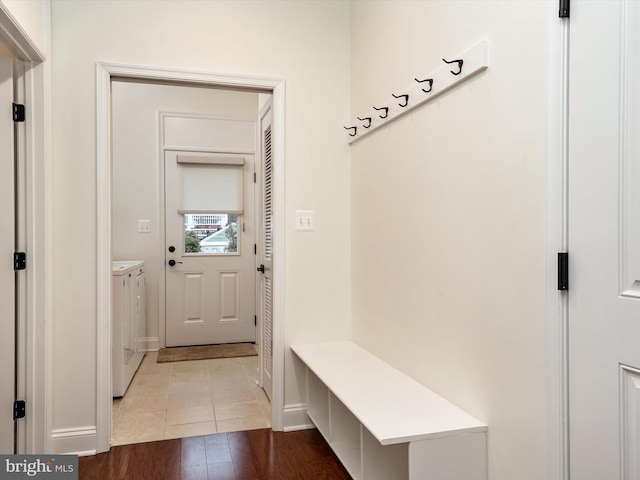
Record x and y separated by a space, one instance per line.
7 245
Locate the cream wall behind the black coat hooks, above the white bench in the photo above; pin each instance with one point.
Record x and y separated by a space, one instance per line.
448 214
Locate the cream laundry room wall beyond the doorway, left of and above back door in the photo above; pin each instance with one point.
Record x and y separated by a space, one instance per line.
137 173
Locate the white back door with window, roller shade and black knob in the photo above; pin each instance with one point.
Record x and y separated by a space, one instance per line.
210 256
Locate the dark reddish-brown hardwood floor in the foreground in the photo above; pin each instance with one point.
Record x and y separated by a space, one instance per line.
250 455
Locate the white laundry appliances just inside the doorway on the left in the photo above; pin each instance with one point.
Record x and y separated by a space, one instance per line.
128 322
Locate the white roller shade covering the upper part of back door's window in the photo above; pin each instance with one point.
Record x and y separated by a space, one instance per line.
215 187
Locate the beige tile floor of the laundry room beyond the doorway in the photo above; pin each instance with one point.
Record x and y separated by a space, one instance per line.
185 399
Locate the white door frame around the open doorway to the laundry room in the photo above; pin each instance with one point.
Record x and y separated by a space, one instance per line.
104 74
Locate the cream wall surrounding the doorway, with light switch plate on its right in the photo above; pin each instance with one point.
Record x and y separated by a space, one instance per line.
307 44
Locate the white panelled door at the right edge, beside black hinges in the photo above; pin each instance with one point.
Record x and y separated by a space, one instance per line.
604 240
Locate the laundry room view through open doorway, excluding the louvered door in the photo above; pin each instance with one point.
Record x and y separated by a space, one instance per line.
192 235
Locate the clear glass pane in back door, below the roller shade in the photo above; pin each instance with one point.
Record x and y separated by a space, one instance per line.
211 234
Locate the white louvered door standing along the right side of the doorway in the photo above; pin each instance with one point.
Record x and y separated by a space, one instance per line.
266 255
